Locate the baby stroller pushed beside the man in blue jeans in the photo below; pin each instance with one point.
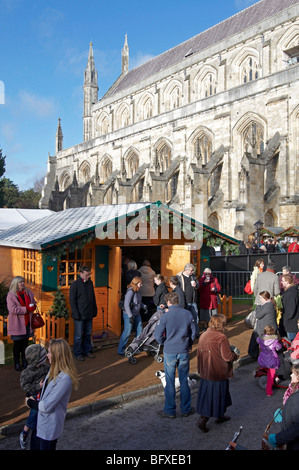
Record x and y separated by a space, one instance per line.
146 341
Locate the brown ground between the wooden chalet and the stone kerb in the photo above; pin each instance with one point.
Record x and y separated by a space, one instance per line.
108 375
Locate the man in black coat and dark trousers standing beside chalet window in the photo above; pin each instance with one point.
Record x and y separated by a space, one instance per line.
84 309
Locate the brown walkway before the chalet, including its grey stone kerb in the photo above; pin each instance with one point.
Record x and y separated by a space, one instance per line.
109 380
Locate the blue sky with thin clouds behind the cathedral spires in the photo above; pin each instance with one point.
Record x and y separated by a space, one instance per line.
43 54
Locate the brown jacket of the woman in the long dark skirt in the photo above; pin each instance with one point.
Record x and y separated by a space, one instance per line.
214 356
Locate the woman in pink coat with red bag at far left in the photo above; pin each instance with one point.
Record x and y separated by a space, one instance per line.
20 304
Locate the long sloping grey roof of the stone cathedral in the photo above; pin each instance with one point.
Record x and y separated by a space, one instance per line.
220 32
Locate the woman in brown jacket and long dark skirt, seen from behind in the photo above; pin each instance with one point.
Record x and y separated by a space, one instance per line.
215 365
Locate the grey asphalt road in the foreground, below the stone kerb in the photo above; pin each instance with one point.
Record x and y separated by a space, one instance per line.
134 426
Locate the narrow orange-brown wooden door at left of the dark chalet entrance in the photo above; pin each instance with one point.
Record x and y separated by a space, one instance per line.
114 289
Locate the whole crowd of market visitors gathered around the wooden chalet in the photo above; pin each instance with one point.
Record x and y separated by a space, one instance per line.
186 301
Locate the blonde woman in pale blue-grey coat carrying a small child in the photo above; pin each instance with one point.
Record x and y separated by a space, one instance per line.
54 397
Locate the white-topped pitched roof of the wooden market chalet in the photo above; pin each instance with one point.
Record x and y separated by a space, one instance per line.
70 223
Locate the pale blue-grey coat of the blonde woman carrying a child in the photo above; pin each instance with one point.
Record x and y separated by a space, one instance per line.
52 407
